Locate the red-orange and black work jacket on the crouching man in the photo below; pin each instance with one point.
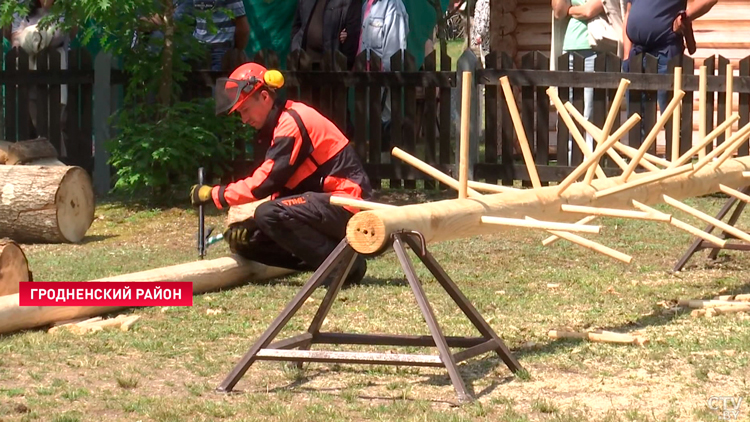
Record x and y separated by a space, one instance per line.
307 153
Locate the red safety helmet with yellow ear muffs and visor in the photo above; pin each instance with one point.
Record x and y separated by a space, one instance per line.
231 92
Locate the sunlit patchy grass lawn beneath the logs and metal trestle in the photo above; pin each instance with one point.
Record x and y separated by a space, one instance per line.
167 366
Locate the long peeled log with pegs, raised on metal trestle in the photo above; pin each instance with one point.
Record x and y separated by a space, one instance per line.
368 231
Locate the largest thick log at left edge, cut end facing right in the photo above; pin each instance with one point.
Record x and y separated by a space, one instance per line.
45 204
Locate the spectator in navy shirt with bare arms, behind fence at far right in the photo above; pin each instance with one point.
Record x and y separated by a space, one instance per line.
661 28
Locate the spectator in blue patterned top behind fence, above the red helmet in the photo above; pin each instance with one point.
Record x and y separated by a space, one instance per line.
231 32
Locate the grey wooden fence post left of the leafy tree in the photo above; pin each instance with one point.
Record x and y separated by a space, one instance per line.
102 98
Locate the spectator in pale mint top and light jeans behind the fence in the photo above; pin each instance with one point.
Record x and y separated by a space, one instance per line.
578 40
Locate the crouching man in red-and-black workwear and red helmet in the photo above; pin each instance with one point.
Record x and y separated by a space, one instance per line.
307 161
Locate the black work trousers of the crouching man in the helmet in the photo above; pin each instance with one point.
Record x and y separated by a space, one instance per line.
295 232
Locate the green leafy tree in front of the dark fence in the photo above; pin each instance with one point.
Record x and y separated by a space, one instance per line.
158 139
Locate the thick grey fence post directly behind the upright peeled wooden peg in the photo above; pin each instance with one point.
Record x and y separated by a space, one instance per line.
468 62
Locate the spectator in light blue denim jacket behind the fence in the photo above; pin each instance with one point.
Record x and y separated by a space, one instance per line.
385 27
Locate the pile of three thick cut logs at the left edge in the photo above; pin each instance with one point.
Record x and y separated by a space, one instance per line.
42 200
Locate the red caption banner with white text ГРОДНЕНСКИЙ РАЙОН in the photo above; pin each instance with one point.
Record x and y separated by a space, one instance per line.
93 293
